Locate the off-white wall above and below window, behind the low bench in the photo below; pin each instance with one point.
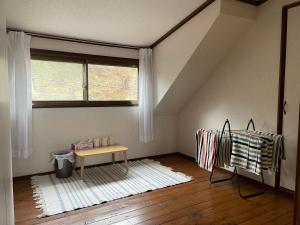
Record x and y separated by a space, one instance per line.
55 129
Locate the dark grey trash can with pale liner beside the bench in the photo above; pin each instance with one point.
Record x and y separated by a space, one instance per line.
63 163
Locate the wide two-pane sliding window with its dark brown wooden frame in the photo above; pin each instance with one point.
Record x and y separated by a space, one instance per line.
62 79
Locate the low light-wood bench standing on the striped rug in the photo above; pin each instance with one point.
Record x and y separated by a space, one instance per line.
82 154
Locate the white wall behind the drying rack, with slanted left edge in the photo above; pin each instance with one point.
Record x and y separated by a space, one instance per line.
243 86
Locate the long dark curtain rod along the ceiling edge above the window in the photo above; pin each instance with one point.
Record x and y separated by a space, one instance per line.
76 40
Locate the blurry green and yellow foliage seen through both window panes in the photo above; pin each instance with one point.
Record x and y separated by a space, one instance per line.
59 81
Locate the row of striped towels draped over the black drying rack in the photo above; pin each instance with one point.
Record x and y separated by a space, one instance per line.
251 150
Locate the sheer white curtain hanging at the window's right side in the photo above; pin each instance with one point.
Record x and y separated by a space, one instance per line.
145 96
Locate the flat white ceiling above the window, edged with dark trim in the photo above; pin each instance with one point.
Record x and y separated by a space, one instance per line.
132 22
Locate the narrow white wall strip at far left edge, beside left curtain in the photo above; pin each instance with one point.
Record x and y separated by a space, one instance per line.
6 189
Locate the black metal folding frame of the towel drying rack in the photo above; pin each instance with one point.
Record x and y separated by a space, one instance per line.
235 172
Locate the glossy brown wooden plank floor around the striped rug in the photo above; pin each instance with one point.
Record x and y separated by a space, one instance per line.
196 202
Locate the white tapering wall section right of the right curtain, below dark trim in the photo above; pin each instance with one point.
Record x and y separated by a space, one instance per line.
171 55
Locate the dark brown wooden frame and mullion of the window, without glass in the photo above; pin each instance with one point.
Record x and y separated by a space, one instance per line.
85 59
